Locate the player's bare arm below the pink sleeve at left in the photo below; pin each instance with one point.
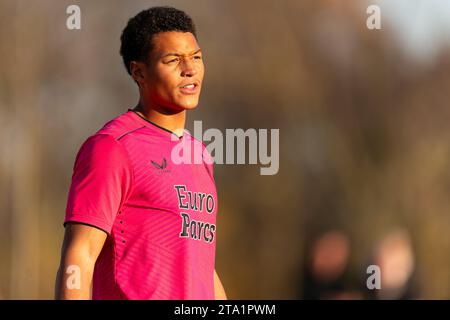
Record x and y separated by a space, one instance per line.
81 246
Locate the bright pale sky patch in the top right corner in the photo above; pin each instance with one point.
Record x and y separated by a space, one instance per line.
422 26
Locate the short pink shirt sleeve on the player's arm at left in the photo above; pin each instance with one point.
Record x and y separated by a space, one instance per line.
101 182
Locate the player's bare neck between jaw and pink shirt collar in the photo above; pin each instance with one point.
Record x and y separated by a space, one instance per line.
169 120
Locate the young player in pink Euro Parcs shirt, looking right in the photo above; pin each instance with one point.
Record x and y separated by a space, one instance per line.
140 225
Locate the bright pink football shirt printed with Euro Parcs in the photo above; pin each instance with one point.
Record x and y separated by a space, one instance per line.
160 215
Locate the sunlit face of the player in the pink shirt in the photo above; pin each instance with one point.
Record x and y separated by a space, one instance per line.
174 71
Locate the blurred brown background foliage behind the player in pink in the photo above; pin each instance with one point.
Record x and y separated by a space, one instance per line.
364 155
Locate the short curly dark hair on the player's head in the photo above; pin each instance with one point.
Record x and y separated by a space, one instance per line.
136 38
